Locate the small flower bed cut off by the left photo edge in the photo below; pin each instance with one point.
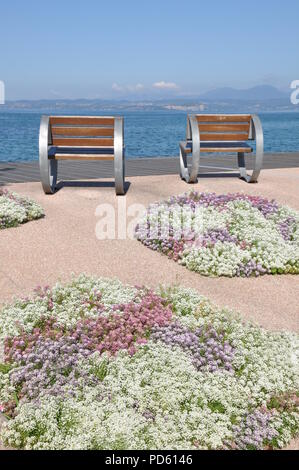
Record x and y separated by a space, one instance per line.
16 210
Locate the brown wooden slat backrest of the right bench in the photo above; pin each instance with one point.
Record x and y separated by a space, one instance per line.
224 127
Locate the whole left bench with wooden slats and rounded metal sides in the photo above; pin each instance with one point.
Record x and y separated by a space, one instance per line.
80 138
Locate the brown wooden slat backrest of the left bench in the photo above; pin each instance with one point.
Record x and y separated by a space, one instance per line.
82 131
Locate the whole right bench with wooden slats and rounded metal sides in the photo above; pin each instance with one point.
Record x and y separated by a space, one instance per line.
221 133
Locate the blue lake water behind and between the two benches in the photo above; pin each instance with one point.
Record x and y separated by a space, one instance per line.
147 134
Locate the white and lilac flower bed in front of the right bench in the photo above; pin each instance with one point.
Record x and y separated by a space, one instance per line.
224 235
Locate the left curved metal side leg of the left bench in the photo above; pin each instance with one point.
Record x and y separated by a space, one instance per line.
48 168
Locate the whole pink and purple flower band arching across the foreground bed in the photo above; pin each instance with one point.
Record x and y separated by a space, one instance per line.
47 359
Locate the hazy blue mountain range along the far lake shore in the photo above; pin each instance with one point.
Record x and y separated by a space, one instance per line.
262 98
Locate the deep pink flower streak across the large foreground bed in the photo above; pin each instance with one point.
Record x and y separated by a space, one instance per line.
104 333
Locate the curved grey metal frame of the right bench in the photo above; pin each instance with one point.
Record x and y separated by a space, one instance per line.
193 137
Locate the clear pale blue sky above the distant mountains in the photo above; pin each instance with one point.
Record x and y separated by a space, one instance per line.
115 49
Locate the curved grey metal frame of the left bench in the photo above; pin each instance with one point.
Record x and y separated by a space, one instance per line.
49 166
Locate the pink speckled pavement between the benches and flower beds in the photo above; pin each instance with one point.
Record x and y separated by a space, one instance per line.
65 242
